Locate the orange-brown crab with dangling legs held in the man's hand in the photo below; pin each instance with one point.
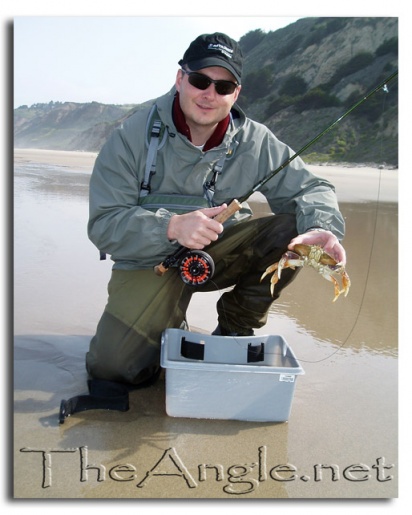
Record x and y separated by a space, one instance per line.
317 258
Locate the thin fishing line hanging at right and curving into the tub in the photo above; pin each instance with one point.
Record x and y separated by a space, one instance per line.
368 271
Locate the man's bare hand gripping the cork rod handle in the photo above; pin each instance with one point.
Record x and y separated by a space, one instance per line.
197 229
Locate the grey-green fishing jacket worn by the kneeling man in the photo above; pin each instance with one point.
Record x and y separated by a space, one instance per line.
135 237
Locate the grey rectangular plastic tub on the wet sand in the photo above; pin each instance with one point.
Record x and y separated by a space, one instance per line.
235 378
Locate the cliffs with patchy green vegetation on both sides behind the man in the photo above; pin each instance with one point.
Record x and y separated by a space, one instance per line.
297 80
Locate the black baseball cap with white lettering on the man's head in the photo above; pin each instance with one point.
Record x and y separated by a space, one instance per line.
216 49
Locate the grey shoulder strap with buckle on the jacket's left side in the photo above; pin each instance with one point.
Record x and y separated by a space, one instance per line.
158 133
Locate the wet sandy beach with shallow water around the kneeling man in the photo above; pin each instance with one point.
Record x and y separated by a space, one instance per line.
341 440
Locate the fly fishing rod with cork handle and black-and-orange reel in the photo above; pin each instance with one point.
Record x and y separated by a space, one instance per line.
196 266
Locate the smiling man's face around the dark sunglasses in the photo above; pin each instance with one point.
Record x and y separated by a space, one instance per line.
205 108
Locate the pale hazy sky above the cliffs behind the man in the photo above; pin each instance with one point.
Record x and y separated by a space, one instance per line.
113 60
